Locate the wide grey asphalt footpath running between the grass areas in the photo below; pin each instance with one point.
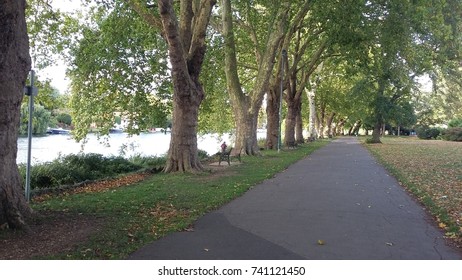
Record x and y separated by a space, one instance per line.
336 204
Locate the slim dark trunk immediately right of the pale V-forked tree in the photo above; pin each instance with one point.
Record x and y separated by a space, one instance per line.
272 114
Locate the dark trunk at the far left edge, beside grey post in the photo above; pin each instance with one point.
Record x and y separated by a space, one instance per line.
14 66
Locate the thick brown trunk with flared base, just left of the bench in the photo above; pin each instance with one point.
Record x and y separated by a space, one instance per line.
186 46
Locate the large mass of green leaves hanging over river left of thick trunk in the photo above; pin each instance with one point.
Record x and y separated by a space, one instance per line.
119 65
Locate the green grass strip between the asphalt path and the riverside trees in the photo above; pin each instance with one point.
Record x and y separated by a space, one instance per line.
143 212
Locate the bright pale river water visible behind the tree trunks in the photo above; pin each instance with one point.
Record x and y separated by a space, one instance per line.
48 148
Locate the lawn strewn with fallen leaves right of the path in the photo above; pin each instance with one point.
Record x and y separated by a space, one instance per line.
432 171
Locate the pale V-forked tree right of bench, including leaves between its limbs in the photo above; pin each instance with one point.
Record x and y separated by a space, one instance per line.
254 34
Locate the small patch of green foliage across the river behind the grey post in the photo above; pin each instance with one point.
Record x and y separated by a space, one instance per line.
40 120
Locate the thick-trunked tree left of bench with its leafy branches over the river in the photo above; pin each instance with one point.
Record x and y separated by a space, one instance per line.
184 29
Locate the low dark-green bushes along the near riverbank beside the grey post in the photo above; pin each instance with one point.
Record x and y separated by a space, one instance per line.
72 169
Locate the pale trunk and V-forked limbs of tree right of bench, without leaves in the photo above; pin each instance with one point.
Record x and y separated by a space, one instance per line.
247 103
